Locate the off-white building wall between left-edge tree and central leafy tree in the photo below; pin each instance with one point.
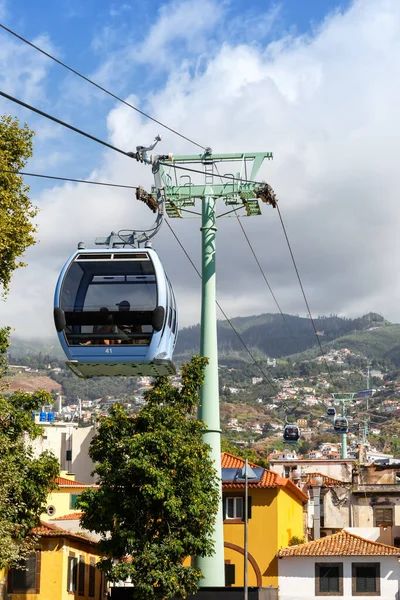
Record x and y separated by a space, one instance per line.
60 437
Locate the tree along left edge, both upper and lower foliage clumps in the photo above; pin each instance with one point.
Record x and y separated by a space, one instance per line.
25 480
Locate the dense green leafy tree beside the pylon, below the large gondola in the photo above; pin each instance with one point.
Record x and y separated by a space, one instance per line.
158 494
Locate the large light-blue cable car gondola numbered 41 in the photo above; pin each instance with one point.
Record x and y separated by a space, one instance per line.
115 313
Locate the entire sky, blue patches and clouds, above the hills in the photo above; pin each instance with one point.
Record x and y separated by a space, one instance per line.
315 82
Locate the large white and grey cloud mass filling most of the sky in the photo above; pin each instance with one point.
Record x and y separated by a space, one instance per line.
327 106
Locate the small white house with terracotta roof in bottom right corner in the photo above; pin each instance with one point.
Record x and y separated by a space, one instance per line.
342 565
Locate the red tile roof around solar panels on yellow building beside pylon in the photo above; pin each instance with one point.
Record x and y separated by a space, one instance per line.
268 479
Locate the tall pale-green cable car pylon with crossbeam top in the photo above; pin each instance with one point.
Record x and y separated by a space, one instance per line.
177 194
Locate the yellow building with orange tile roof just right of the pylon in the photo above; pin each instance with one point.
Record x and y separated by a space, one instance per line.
275 517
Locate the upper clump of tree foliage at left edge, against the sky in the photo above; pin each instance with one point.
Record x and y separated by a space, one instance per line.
16 210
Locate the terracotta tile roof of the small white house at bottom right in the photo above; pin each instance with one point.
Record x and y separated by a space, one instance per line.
342 543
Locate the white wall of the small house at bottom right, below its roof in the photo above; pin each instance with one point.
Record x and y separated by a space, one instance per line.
297 576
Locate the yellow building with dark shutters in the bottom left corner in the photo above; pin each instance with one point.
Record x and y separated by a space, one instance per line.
63 567
